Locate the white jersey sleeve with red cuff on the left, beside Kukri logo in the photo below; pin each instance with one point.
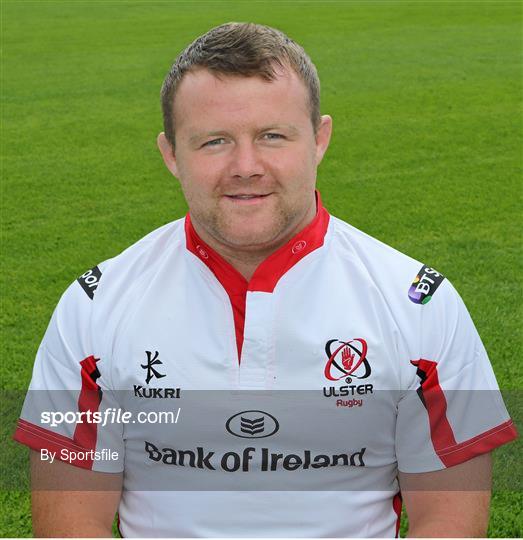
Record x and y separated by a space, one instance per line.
65 407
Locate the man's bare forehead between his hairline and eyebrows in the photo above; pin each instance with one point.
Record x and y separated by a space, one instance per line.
203 98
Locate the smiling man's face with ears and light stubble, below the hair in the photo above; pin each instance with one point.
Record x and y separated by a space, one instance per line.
246 157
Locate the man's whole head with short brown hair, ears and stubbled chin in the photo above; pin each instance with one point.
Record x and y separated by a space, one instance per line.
246 137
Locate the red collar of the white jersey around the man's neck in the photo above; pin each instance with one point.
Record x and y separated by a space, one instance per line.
273 267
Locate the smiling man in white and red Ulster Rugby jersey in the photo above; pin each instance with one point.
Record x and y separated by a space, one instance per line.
224 315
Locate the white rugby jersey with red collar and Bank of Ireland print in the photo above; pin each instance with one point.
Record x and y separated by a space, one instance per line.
298 395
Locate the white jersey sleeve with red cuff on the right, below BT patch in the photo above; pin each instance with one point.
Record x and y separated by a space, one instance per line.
453 409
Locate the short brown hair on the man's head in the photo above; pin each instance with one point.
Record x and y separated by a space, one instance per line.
244 49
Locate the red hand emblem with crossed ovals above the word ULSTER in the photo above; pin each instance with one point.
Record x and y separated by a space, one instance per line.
346 360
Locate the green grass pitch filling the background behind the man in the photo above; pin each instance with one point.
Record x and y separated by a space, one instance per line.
426 156
